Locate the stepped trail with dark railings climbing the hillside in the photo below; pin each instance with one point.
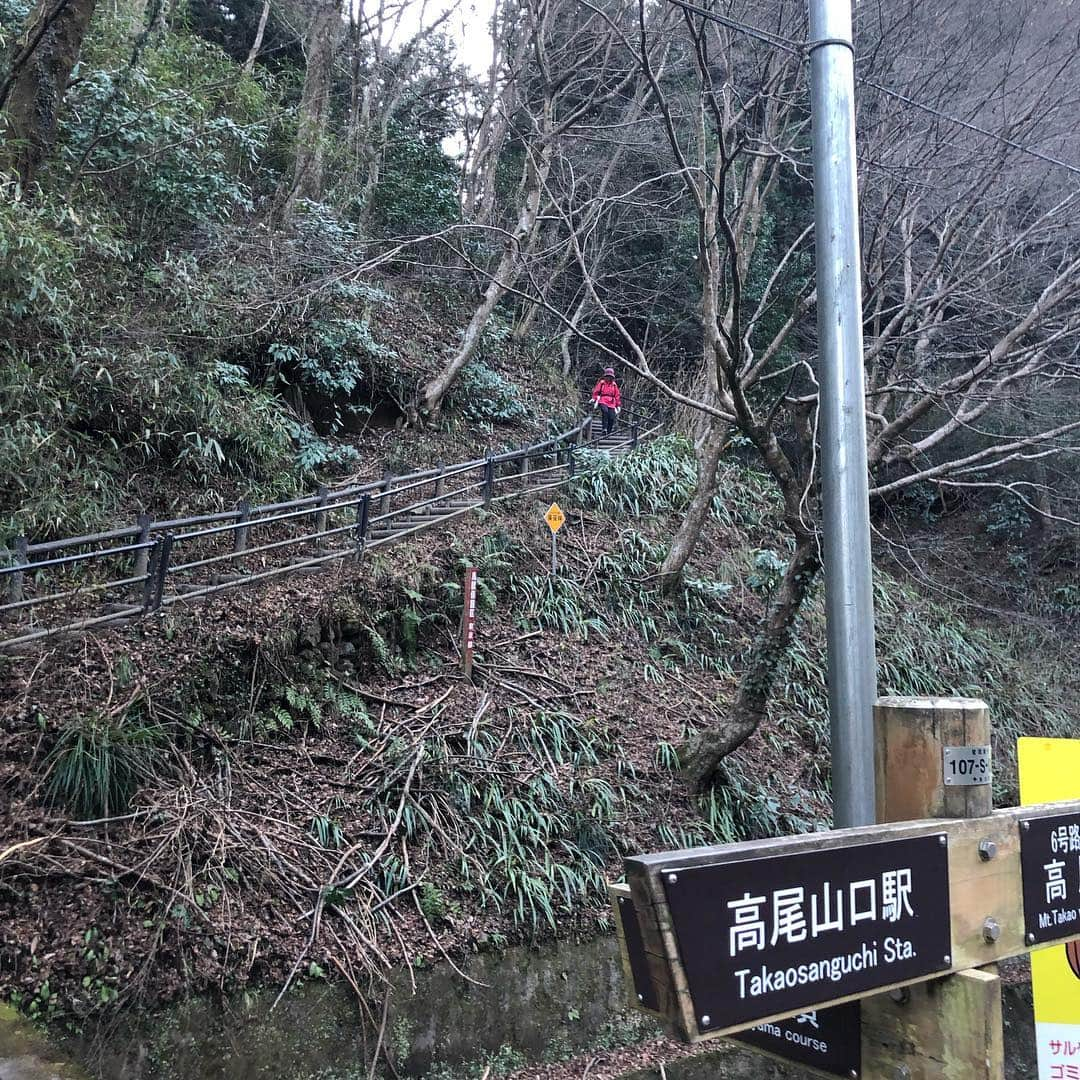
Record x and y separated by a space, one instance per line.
126 574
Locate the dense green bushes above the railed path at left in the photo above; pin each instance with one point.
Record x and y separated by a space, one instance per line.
166 340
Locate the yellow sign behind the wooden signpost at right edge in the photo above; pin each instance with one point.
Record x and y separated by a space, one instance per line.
1050 773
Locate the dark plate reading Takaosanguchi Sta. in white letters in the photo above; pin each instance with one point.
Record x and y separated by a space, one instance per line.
765 937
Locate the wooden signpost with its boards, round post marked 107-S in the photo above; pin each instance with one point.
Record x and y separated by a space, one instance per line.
902 919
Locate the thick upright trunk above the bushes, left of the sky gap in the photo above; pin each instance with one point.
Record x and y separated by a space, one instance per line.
315 104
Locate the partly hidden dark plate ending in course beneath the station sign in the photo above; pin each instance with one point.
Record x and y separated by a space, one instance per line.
829 1041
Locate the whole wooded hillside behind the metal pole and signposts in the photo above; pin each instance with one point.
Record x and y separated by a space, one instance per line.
252 250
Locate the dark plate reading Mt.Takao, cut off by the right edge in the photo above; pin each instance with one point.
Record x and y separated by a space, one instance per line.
1050 873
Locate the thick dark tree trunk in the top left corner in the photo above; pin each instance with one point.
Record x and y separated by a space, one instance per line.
34 92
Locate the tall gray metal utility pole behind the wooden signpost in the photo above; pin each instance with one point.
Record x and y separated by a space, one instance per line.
849 597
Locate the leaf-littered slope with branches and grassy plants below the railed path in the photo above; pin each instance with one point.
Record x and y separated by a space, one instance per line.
348 772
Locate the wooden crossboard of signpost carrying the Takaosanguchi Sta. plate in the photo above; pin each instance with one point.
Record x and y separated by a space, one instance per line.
732 943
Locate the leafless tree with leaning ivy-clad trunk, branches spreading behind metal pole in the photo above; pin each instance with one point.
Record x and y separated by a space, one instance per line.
973 300
